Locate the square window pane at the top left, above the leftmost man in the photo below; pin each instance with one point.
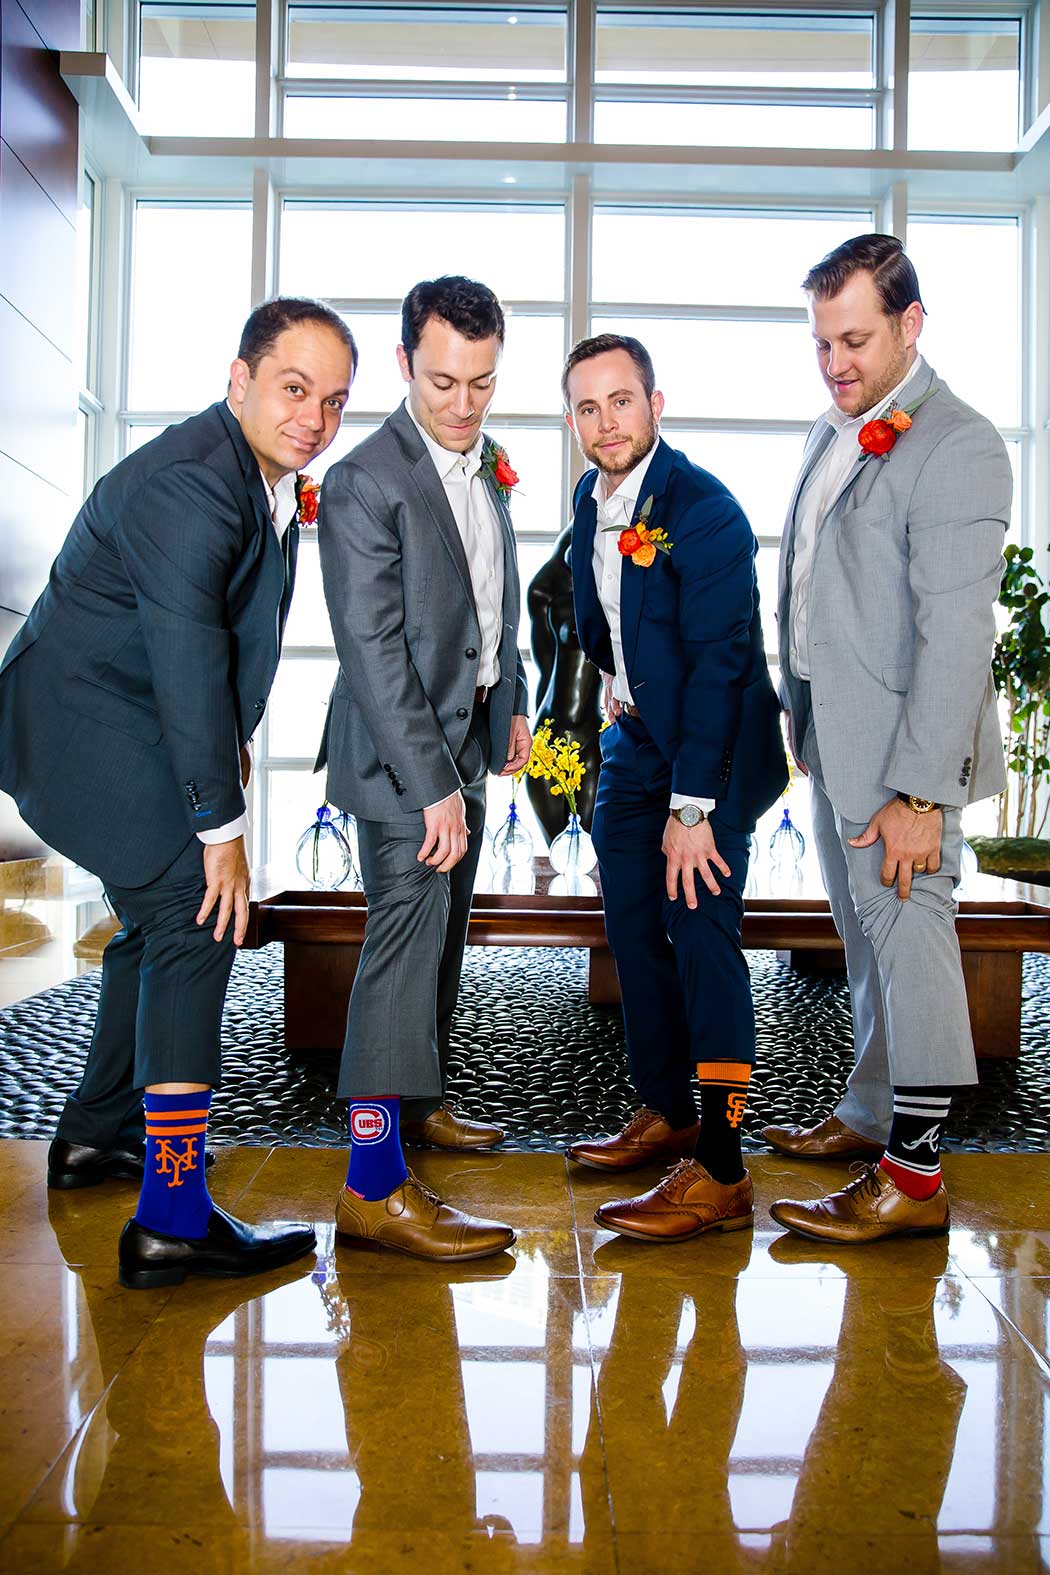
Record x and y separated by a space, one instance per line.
198 72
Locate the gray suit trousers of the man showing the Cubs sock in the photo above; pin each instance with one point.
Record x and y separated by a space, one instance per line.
409 979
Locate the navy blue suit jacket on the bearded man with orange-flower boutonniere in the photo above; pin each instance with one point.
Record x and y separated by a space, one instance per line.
692 639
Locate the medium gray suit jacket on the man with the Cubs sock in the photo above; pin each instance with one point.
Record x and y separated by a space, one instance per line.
407 632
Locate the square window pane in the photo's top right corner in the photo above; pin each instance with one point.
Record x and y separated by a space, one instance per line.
964 86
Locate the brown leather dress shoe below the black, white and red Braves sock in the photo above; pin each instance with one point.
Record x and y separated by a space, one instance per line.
868 1209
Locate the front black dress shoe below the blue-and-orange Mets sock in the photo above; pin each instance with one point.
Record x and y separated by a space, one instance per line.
231 1248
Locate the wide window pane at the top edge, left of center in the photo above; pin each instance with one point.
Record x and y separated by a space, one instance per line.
396 43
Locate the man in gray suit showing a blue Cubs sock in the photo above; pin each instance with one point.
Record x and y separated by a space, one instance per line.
421 582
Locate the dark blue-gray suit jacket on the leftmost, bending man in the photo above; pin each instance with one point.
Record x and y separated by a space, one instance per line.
149 659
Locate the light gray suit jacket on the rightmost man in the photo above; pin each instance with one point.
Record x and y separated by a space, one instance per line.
906 574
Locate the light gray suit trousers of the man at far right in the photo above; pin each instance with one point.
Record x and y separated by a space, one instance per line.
908 993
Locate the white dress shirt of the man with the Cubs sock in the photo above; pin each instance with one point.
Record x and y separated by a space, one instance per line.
479 530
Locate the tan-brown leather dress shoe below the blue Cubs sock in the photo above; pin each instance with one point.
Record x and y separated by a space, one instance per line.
415 1220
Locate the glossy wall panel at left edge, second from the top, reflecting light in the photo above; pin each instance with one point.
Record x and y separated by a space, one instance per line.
39 258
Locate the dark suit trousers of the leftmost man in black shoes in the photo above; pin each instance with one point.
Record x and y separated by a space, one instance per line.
160 1017
